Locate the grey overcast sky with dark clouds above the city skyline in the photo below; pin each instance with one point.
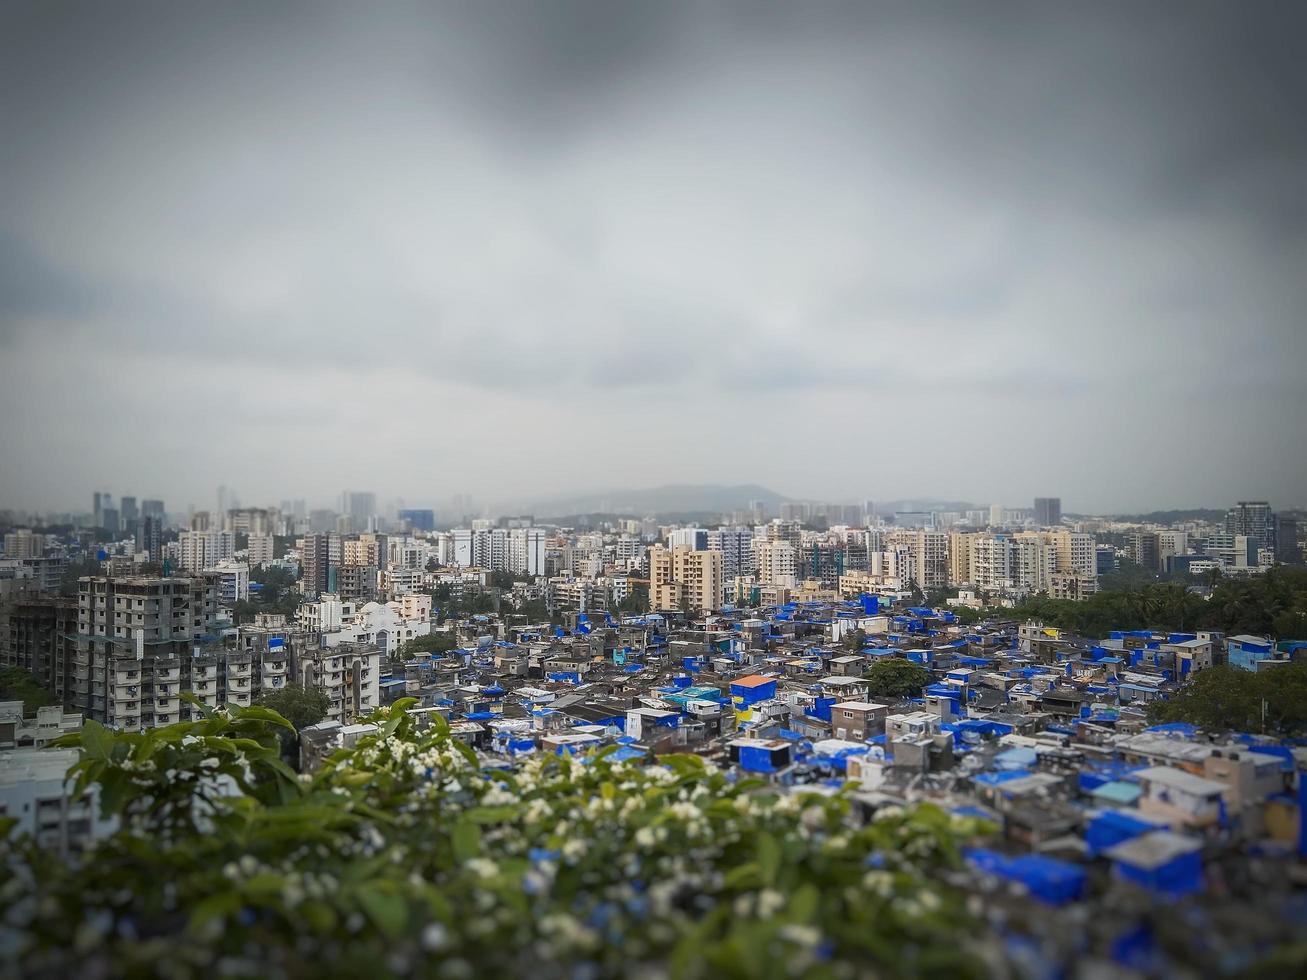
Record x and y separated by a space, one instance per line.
842 250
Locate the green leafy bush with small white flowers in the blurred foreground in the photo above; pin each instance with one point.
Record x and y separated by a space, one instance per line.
407 855
